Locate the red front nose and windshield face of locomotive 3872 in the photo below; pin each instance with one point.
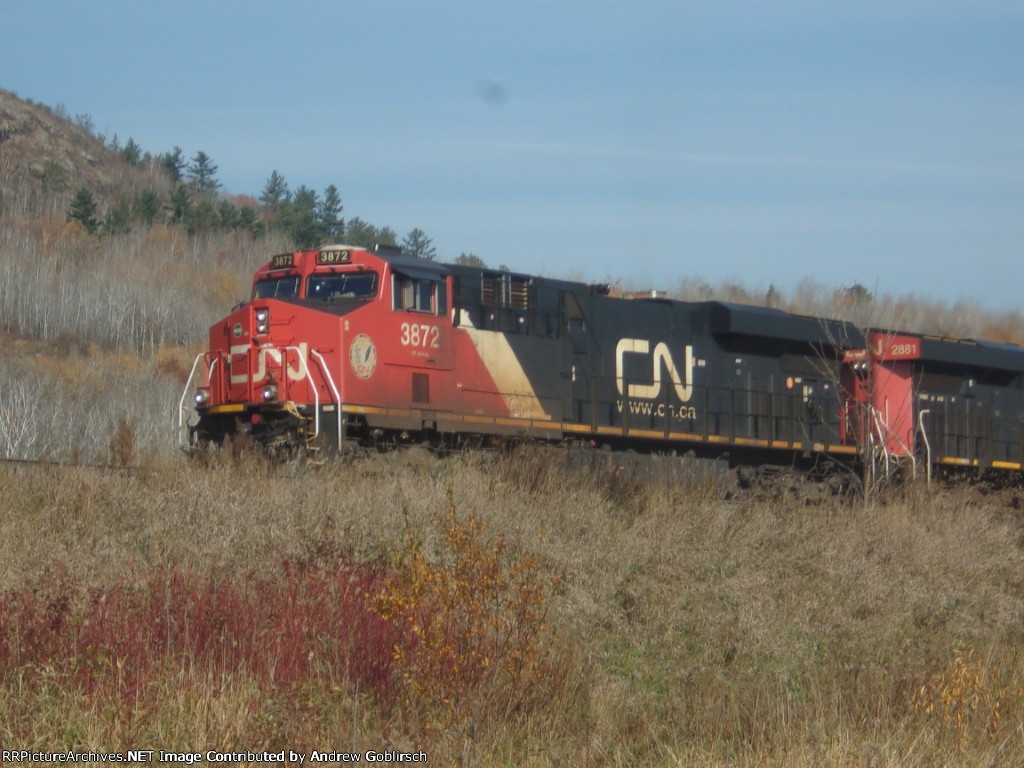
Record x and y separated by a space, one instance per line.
272 371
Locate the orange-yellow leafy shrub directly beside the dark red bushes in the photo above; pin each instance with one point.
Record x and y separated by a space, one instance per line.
475 614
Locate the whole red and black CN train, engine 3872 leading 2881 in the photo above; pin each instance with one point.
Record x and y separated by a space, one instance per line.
347 347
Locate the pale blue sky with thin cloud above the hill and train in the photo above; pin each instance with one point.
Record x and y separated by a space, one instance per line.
751 142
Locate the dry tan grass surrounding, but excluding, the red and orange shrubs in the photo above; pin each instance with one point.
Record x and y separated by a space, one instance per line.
692 630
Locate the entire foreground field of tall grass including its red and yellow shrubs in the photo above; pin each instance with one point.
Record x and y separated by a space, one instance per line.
511 609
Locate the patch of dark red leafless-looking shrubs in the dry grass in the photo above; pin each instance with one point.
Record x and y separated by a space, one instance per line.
308 624
